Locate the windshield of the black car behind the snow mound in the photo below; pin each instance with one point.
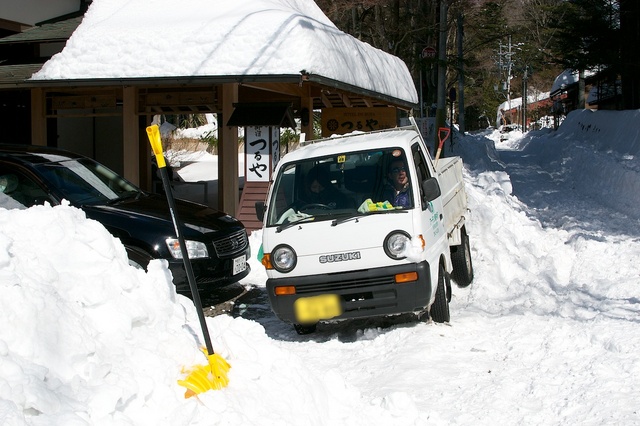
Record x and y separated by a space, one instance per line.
85 181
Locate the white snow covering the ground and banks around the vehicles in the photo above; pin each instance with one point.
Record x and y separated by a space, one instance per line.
546 334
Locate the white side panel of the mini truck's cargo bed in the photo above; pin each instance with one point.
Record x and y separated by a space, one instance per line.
454 197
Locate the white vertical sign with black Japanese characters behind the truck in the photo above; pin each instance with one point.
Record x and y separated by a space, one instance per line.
262 152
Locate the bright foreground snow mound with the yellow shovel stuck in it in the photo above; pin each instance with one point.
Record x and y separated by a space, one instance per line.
87 339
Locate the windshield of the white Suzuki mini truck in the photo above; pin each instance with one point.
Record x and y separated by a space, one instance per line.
340 185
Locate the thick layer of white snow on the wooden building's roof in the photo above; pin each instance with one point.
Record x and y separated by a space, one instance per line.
161 38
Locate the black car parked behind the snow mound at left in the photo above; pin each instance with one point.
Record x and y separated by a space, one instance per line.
217 243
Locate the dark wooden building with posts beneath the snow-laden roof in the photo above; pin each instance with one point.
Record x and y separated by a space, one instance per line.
106 117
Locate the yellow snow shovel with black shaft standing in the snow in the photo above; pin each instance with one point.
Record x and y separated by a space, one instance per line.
200 378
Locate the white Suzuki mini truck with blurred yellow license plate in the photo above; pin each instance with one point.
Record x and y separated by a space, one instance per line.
354 254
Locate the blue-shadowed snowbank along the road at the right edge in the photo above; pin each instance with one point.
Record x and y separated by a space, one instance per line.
598 152
